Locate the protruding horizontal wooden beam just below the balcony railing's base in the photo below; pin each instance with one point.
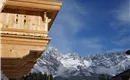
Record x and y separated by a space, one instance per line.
18 41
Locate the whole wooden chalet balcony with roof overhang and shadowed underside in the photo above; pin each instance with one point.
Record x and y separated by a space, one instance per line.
24 28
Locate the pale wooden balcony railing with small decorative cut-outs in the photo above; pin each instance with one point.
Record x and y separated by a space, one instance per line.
21 24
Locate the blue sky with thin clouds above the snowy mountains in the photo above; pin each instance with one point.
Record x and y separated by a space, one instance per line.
92 26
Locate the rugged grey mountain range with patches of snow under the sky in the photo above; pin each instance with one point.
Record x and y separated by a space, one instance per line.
71 64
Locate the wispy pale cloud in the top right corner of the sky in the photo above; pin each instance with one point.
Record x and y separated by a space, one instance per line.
122 14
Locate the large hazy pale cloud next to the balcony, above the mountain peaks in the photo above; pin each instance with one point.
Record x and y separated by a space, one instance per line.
66 27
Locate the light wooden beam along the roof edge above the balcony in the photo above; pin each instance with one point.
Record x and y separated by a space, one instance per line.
27 4
